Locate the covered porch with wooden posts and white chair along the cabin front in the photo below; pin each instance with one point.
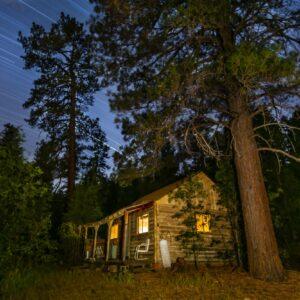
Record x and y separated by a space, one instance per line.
116 238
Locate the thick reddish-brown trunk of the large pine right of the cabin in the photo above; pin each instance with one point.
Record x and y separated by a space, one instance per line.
263 256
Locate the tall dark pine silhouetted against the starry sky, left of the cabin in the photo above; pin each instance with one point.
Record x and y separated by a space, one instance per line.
64 57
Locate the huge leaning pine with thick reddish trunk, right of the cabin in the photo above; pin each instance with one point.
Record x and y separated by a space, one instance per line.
183 71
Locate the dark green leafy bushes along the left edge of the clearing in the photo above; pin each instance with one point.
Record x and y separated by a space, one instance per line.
24 201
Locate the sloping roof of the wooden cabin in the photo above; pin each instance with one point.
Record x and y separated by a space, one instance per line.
154 196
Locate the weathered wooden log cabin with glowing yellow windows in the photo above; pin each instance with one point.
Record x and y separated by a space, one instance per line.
135 232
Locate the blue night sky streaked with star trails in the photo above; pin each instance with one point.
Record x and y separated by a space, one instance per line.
15 82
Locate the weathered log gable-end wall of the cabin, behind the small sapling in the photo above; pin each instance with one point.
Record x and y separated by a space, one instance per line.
216 244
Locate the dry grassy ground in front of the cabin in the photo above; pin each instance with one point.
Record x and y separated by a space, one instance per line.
210 284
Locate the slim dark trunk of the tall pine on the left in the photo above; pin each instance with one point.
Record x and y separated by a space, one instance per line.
72 148
